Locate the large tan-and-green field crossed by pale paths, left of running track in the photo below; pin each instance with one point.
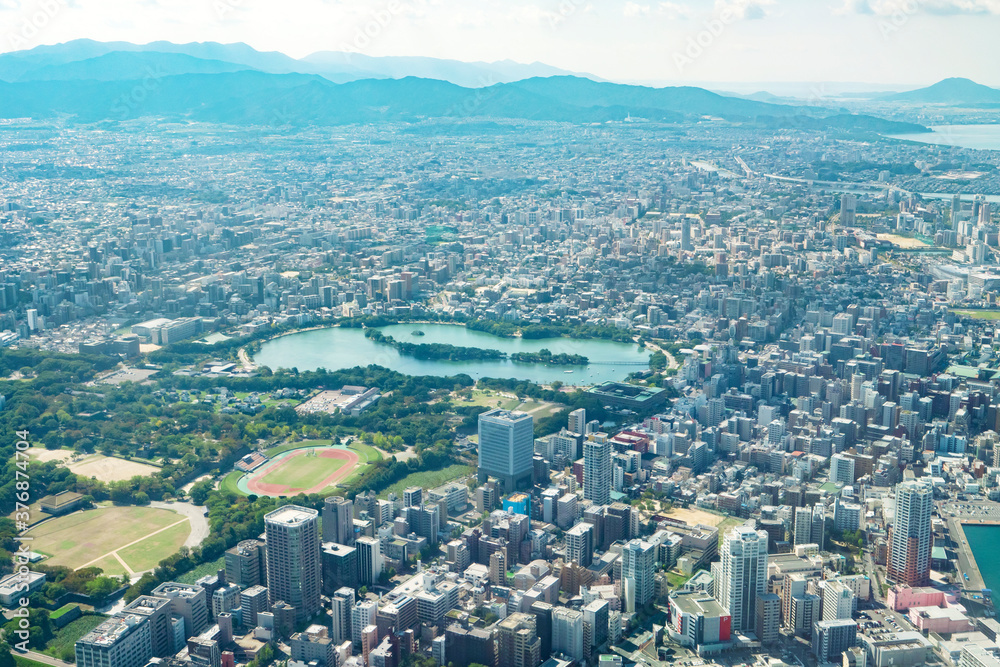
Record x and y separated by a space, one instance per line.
116 539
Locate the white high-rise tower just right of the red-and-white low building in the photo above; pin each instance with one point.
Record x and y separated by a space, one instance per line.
743 575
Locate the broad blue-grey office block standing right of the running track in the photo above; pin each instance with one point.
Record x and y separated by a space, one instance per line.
506 445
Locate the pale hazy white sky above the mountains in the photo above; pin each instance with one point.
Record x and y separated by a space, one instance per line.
877 41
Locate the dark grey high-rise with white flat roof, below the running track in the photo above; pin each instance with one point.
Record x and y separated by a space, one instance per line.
293 558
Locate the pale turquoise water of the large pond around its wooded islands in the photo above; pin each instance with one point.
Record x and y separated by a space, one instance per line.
336 348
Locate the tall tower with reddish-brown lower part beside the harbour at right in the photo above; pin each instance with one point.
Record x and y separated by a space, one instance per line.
910 539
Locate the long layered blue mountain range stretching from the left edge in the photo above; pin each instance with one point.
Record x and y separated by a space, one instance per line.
89 81
